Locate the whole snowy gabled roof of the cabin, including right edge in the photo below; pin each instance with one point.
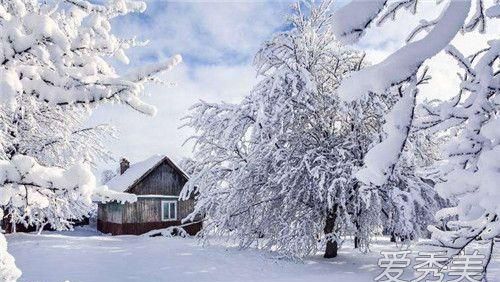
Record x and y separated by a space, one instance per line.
138 171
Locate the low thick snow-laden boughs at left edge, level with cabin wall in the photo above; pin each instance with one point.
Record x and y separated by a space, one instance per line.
36 194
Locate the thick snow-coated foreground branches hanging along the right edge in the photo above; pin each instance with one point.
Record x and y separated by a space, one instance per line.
470 117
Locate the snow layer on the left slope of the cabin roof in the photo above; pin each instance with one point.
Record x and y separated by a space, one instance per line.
123 181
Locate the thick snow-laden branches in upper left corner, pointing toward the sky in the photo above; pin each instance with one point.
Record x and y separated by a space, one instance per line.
60 55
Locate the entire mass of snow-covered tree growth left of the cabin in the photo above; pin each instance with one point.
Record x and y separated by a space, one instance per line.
59 53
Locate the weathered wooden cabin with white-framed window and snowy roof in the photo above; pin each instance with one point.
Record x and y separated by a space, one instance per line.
157 182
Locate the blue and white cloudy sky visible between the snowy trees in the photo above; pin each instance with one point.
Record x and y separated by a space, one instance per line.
217 41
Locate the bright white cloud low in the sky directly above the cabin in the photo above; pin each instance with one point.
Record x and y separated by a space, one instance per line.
141 136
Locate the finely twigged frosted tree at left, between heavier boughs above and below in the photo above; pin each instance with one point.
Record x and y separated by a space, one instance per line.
53 135
